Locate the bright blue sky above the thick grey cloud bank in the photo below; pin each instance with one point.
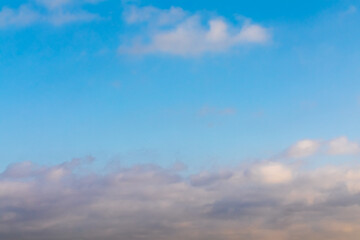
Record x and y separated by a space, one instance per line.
88 78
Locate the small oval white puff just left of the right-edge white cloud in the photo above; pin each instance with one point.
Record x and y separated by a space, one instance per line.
303 149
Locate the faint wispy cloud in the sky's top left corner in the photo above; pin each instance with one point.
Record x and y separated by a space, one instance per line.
57 12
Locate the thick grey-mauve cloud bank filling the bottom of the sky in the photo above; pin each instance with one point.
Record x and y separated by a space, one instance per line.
265 200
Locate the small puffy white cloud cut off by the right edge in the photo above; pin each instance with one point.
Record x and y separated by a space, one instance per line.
342 146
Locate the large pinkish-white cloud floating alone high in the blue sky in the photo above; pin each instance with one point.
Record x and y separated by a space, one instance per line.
177 32
